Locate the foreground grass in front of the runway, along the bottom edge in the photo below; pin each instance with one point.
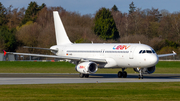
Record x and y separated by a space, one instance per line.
100 91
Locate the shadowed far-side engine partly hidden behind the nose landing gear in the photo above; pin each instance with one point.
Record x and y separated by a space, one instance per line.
148 70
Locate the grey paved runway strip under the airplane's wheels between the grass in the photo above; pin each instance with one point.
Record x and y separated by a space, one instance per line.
57 78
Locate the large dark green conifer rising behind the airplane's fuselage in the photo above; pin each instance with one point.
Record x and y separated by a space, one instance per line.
105 26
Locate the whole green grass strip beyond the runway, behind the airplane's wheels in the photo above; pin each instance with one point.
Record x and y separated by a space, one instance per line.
65 67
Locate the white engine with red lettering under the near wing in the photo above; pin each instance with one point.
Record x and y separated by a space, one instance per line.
87 67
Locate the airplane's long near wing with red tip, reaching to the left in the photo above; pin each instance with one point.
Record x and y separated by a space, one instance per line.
62 57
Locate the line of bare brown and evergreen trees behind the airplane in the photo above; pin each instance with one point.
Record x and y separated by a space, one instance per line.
34 27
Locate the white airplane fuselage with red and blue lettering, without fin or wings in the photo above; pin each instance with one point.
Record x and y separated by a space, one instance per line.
117 55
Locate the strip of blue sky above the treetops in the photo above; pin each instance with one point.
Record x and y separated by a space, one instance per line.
91 6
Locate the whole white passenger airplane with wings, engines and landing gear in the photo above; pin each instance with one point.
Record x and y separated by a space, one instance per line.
88 57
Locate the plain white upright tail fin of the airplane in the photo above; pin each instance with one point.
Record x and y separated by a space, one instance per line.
61 36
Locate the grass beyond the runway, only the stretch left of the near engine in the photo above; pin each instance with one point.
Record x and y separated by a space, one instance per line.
36 67
